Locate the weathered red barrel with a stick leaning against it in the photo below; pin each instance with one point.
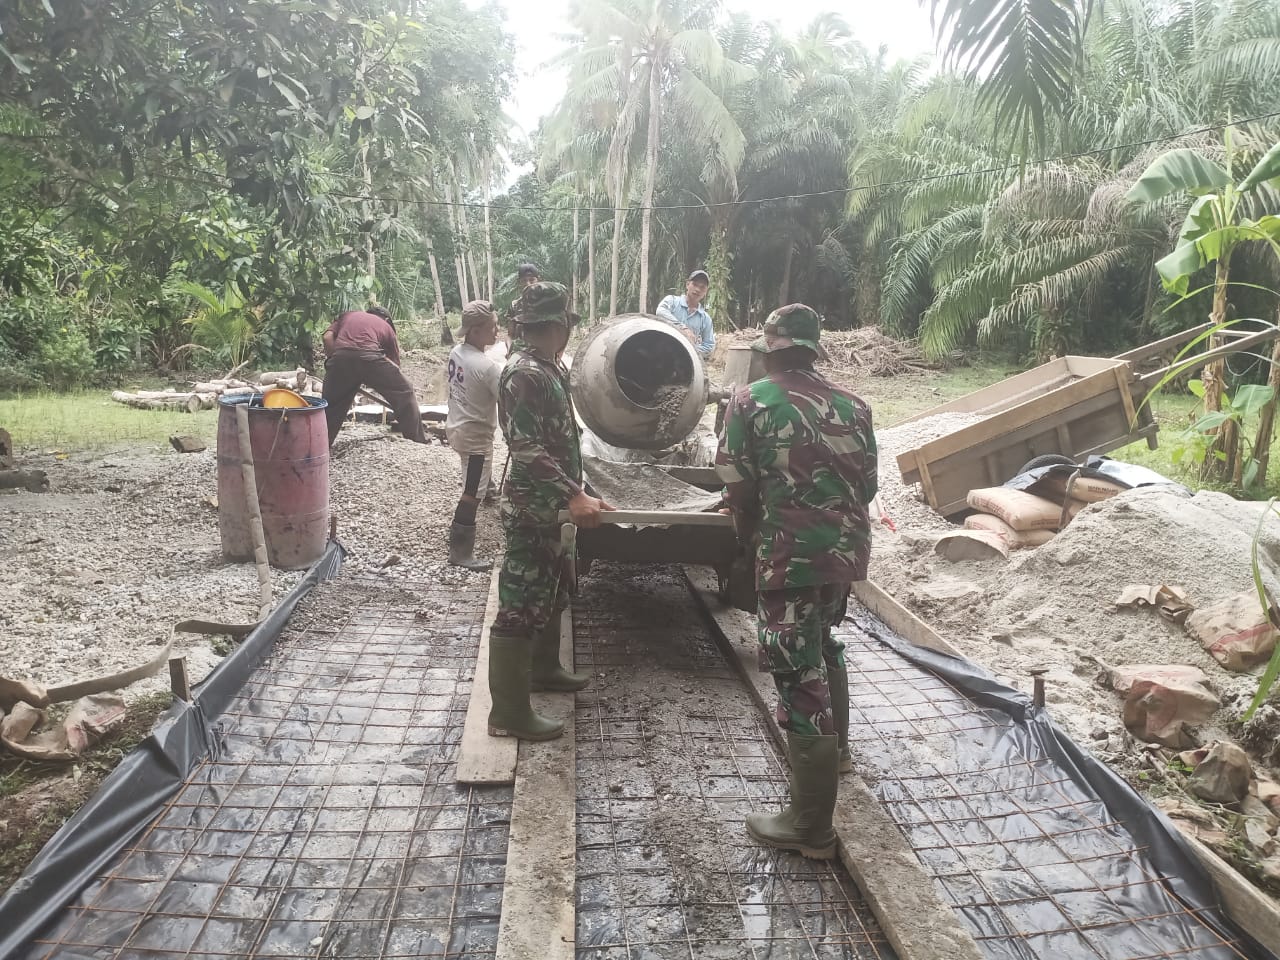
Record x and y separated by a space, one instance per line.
291 465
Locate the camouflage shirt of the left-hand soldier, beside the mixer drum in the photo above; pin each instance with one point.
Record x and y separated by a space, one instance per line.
537 418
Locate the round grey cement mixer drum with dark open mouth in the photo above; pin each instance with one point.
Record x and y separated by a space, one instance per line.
638 383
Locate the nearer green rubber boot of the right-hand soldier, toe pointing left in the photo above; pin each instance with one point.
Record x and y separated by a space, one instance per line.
806 825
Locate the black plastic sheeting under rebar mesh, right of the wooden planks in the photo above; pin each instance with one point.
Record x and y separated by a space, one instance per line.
1002 794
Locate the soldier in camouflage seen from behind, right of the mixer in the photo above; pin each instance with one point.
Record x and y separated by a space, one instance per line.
798 458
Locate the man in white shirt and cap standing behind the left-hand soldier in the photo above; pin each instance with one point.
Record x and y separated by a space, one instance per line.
472 423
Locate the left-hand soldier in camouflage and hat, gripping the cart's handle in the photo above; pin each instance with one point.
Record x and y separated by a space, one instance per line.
537 418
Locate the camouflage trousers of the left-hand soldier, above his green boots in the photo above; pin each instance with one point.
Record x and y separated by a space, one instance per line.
529 583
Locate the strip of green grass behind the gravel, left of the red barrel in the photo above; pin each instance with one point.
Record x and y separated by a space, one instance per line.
92 420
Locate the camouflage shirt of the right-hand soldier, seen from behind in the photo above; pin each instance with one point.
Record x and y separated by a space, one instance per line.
798 456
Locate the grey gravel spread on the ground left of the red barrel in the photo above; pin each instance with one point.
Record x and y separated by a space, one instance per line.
98 570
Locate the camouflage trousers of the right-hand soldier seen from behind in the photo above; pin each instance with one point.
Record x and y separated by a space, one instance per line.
797 647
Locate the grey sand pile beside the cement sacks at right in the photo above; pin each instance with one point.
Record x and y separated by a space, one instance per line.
1054 606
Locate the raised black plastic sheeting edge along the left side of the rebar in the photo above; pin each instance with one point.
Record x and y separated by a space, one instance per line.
141 785
